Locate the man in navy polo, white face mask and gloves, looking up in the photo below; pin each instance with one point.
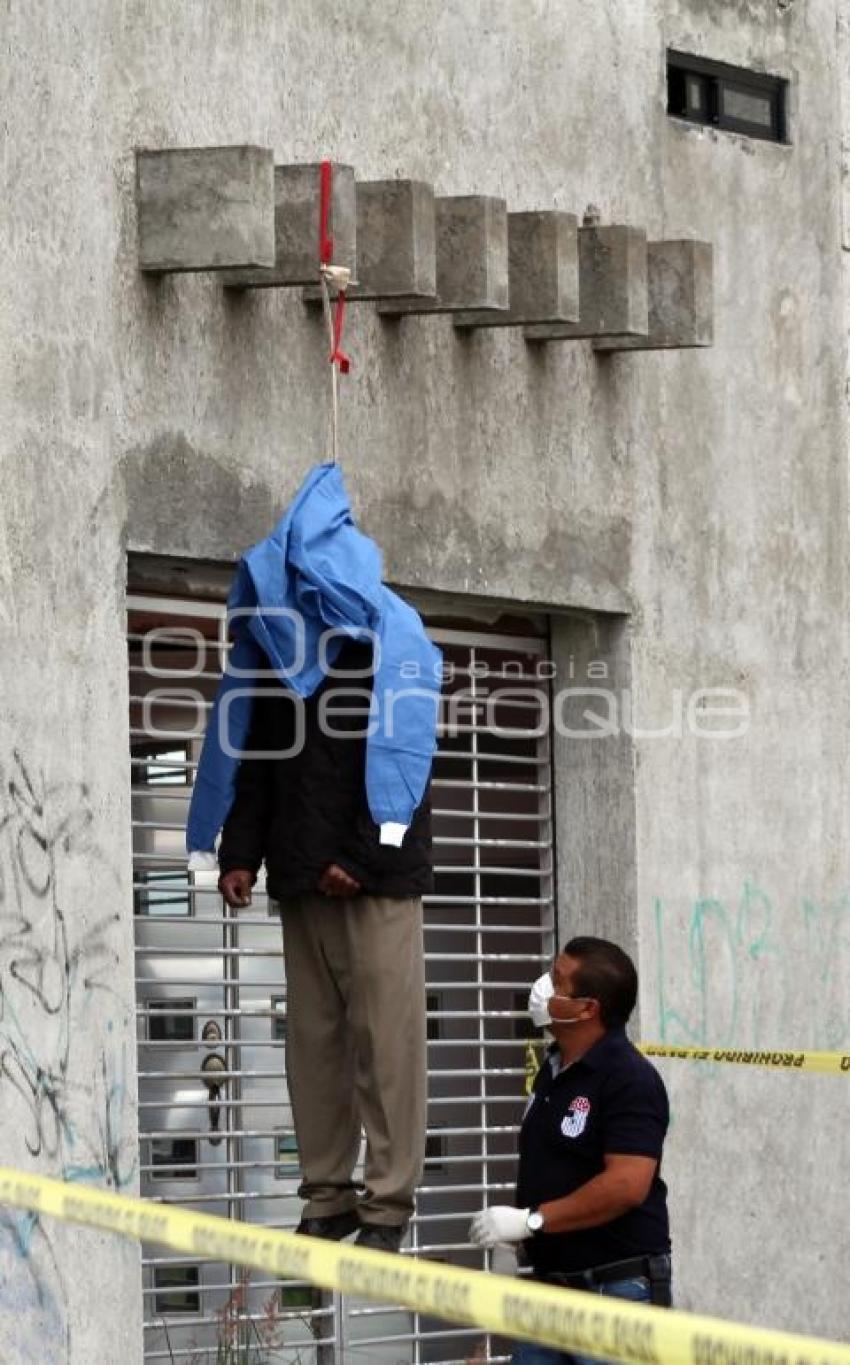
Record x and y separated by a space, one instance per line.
593 1207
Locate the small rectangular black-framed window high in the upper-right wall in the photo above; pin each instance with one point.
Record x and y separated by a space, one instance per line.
728 98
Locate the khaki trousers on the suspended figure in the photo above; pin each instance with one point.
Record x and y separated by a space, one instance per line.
357 1050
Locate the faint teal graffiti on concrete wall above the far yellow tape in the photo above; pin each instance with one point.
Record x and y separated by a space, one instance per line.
740 971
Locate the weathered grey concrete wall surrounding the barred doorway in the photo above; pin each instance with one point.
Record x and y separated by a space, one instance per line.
702 492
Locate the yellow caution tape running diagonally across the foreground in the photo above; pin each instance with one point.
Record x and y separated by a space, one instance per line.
616 1330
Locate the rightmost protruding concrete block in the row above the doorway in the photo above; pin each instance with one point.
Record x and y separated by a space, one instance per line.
682 300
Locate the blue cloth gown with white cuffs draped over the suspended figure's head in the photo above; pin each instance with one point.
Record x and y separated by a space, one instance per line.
297 597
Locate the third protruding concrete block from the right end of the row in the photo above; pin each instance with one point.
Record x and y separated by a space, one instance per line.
542 270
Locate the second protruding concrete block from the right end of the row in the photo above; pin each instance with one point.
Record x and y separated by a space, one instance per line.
612 287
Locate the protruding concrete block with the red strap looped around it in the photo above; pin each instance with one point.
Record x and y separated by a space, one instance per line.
298 203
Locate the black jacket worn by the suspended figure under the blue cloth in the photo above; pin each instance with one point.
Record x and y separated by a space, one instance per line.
299 814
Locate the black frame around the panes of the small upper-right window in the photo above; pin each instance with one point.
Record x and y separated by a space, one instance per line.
714 78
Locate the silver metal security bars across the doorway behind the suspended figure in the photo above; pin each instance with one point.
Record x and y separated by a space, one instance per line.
216 1127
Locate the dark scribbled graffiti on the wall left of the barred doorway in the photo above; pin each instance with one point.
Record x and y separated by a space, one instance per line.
69 1104
